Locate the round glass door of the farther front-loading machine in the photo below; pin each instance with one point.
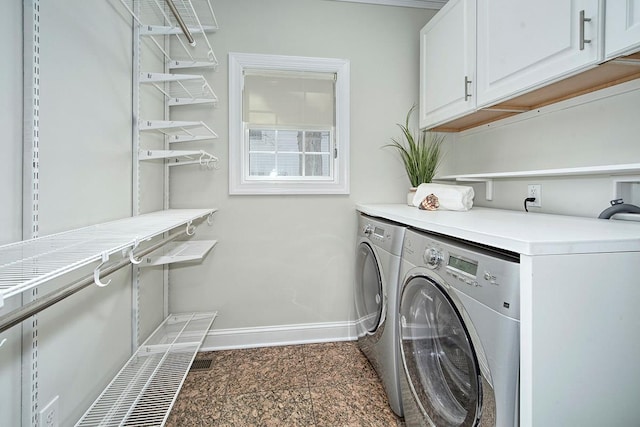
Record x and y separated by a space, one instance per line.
368 292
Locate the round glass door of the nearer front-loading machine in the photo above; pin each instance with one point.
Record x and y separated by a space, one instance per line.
438 358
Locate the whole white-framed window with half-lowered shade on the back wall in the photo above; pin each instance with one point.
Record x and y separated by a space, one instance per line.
288 125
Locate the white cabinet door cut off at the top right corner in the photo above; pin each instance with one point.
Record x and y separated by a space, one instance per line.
622 27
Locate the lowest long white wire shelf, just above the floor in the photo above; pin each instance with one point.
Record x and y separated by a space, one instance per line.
145 389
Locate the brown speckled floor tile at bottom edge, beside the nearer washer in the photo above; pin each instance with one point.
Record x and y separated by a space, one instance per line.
355 405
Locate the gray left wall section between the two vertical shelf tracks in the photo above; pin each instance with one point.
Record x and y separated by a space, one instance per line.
85 178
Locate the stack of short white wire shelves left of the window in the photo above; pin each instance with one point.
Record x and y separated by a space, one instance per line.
178 29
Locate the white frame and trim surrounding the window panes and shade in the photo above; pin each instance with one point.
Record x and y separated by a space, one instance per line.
239 183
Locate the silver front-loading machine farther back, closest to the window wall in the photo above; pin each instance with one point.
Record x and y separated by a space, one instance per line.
376 292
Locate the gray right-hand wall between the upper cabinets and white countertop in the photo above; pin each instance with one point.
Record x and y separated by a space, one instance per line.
584 132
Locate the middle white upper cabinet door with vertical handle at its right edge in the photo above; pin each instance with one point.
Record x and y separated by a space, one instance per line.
525 44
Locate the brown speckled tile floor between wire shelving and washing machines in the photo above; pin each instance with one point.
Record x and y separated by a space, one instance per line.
315 385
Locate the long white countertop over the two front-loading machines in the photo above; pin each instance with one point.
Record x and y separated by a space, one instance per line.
521 232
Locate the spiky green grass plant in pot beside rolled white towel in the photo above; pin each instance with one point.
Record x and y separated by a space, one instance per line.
421 154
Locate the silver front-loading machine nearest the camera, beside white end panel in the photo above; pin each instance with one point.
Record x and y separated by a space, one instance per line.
459 333
